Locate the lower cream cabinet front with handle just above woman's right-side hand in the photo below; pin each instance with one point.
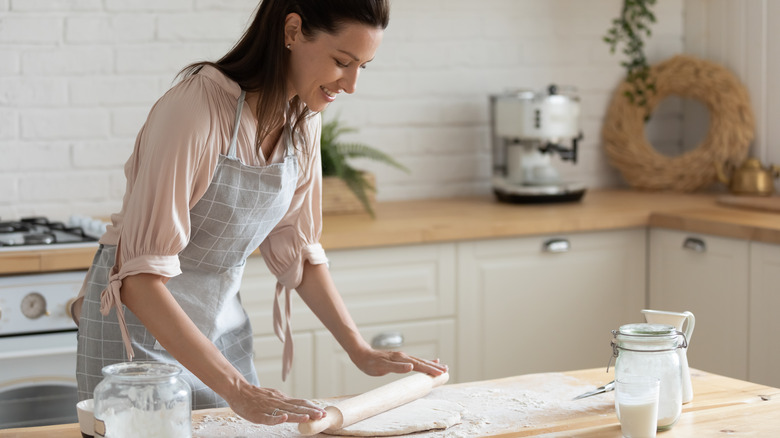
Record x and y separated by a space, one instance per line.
335 374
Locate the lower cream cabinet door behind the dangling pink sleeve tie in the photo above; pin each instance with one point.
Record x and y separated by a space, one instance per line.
268 363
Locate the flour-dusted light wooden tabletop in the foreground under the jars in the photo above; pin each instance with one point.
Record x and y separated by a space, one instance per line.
538 404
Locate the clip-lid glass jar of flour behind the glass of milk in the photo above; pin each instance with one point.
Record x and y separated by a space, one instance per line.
651 350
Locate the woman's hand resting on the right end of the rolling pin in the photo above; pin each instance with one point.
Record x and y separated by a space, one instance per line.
380 362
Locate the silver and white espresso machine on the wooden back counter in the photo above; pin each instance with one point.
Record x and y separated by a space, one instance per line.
527 129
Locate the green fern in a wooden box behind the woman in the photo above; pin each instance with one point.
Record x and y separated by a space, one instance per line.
345 188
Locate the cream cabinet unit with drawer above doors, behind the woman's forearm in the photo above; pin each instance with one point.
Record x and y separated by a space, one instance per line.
408 289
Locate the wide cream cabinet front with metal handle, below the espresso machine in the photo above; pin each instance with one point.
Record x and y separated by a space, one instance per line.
546 303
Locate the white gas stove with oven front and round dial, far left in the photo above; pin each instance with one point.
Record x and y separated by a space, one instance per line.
37 334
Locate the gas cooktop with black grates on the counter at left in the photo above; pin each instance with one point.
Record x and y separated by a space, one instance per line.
34 233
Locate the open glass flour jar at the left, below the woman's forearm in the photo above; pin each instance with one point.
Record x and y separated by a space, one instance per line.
142 399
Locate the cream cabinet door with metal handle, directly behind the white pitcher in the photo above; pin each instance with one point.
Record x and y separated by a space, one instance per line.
708 276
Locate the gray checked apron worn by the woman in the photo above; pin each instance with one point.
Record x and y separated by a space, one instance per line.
238 211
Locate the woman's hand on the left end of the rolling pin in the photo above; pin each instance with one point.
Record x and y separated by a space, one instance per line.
269 406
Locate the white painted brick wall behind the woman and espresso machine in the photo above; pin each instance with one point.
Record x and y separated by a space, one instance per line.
77 78
